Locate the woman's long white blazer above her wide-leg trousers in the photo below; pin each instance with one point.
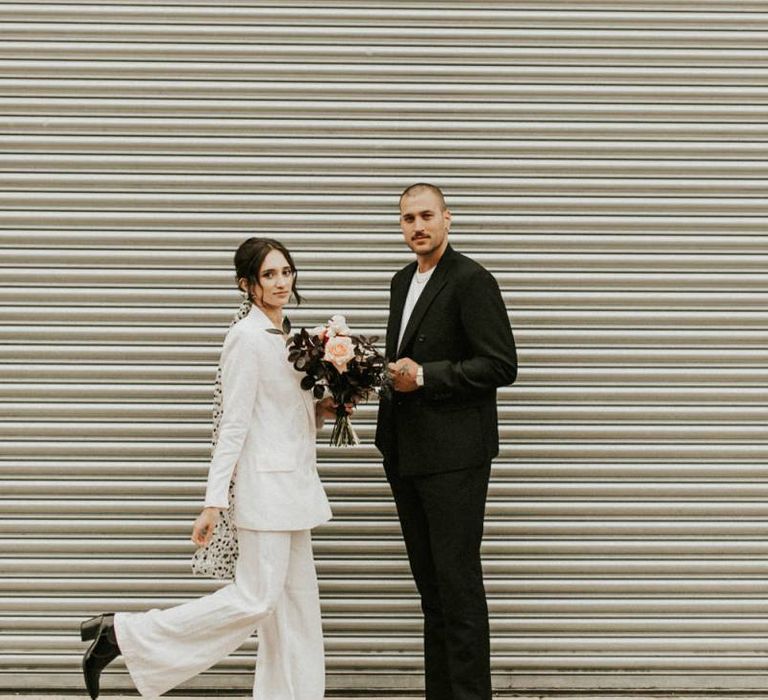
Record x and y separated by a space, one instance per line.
267 432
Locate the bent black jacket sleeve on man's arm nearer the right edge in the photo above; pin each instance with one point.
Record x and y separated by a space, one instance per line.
493 360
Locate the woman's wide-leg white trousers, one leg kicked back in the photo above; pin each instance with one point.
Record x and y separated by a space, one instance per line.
275 592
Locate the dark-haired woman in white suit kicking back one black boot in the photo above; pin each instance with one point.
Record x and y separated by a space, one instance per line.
266 429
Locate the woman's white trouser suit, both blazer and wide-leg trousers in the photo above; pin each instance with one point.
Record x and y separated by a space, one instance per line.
268 430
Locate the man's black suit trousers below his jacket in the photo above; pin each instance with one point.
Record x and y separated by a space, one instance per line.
441 516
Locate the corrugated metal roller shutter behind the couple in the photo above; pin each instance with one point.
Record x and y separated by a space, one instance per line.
608 166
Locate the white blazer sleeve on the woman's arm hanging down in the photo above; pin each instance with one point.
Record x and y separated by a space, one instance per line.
239 381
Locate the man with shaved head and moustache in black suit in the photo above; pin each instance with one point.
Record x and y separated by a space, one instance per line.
450 336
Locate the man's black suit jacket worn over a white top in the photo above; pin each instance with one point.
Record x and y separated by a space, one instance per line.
459 332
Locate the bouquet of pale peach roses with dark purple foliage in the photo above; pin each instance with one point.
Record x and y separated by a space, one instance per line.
347 366
